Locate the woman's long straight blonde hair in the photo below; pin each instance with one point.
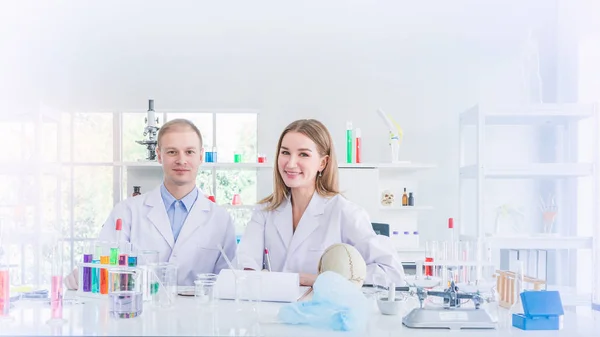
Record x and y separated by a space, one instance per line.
326 182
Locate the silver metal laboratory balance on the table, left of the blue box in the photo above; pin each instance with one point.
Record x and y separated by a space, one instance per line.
452 314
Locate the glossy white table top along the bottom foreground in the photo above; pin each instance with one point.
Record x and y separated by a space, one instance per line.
188 318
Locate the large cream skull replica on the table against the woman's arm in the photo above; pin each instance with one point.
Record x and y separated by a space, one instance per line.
346 261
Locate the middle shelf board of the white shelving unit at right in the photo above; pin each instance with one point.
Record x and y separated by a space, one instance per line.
537 170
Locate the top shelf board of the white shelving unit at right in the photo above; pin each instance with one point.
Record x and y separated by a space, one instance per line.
533 114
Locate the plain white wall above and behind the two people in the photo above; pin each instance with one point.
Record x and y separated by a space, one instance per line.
331 60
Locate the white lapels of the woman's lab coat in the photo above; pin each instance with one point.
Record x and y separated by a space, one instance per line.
309 221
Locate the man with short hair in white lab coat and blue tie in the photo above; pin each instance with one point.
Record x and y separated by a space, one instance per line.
175 219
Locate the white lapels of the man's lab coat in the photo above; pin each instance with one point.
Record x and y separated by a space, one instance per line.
158 214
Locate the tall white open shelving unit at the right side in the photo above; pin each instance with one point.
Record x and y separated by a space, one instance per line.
521 156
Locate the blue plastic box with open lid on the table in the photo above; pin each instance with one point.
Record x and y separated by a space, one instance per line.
543 310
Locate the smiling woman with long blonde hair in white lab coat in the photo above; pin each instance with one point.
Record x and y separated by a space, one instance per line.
306 213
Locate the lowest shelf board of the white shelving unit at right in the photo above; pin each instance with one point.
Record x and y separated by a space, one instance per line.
537 242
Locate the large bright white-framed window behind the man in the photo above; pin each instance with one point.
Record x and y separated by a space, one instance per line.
75 188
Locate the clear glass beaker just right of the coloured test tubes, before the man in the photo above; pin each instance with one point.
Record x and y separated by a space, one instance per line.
163 284
